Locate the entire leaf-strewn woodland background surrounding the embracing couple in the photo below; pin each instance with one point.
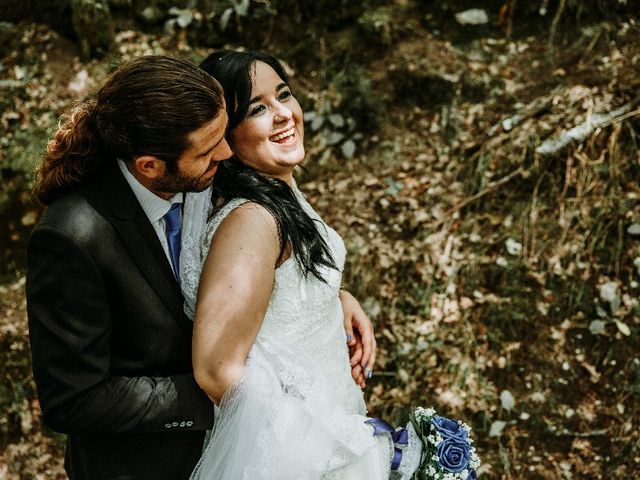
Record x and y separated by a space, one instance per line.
495 246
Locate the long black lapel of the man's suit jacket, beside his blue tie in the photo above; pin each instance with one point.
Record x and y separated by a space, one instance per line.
139 237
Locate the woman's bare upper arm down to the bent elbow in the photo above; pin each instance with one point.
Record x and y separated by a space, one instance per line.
235 287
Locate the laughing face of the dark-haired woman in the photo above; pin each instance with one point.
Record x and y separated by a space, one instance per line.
270 138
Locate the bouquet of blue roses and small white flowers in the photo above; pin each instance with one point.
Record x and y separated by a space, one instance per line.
447 448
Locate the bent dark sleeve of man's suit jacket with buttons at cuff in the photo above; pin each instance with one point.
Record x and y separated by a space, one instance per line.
70 333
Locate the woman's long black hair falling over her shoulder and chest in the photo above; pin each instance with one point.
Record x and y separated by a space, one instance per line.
235 179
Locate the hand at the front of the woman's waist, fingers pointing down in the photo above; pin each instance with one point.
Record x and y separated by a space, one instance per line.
360 338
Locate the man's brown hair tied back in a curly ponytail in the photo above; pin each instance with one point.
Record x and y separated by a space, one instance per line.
147 106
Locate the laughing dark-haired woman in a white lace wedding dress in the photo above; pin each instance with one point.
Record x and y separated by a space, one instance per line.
268 345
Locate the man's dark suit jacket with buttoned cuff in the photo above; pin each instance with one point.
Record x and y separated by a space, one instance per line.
110 343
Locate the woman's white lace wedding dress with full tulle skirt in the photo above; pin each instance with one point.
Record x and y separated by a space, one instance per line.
296 413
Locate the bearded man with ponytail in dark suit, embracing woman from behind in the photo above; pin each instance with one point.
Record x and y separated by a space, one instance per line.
111 346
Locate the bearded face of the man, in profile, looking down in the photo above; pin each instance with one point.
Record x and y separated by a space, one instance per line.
197 165
